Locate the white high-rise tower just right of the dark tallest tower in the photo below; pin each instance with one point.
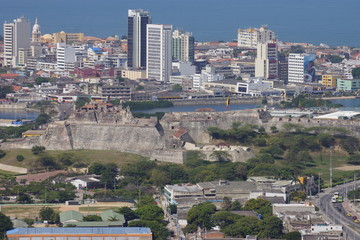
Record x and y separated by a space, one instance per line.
159 52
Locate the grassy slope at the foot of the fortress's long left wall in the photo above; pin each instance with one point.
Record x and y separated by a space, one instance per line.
86 156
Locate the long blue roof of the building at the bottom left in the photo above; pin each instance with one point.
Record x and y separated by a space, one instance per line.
79 230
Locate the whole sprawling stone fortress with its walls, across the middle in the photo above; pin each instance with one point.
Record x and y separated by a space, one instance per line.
166 140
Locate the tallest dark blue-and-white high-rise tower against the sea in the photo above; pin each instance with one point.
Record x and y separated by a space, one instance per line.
137 21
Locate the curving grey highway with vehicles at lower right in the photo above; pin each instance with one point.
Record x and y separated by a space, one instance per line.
335 213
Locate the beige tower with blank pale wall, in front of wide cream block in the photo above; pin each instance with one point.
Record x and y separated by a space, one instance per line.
266 62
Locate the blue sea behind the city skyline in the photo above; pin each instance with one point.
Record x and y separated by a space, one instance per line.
334 22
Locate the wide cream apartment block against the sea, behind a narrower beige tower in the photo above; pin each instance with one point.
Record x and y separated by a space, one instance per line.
249 38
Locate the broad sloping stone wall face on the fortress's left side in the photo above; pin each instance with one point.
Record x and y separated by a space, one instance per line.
139 140
